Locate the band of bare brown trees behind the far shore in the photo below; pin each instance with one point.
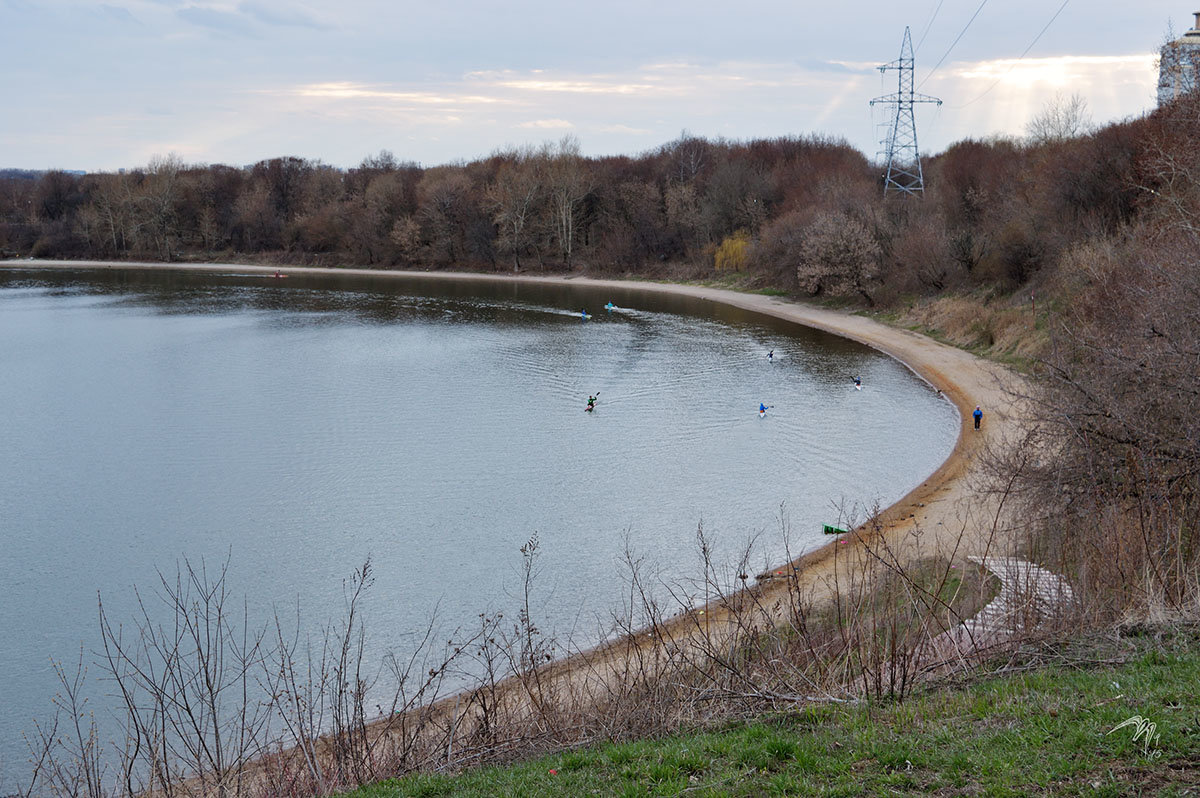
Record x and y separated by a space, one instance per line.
803 214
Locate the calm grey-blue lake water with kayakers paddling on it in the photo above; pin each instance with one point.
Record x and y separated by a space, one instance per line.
299 427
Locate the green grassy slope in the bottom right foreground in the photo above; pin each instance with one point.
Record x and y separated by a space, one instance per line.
1045 730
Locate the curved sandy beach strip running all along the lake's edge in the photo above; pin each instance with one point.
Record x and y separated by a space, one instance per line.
943 517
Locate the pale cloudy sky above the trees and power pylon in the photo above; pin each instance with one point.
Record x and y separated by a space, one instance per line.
101 86
